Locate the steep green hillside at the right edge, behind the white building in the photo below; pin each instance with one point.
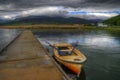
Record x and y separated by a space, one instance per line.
113 21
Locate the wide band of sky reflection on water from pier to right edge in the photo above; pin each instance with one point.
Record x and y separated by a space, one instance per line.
97 39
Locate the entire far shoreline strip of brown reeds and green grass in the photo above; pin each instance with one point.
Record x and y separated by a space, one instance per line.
60 27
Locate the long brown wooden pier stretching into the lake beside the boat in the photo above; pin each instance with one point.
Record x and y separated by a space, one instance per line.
26 59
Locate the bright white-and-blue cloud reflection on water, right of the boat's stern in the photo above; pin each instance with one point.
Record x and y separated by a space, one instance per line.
101 41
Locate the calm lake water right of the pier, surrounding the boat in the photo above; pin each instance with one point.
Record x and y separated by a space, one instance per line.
101 48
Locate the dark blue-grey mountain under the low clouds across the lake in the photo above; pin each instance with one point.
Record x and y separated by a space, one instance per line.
47 20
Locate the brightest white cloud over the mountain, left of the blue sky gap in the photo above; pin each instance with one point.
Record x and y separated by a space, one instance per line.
46 10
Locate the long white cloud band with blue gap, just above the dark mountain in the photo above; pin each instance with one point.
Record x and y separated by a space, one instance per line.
60 11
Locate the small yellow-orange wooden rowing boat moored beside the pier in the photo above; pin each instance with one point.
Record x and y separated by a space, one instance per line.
69 56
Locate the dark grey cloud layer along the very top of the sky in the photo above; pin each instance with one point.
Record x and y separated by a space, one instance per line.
69 3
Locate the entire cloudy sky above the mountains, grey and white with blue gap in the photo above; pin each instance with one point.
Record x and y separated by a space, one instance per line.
87 9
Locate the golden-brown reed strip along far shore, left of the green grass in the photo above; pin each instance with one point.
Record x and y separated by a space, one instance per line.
43 26
